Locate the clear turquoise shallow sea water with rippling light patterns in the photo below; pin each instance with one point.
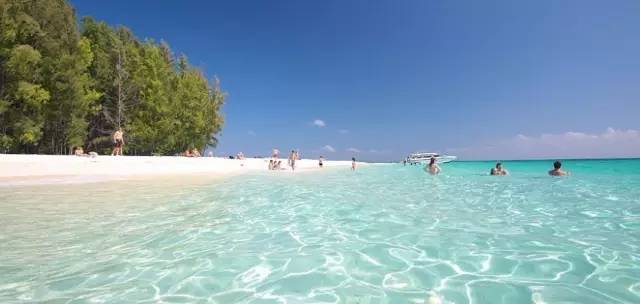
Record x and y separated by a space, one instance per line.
383 234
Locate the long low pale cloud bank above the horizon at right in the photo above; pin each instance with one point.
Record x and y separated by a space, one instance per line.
610 143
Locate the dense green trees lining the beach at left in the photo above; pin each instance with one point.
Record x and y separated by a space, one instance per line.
65 84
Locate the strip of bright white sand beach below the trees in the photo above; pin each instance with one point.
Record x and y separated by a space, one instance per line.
16 167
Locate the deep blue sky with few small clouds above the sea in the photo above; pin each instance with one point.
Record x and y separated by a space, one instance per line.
381 79
